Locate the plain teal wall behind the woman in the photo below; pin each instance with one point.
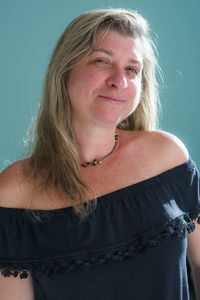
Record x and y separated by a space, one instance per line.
30 29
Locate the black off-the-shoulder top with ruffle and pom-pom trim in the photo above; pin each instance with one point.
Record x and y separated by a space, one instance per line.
132 247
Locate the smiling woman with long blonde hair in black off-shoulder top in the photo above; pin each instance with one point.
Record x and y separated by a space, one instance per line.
101 205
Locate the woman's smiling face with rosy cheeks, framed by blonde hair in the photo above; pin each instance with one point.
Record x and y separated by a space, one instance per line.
105 87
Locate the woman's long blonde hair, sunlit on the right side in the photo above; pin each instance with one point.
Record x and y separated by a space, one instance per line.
53 153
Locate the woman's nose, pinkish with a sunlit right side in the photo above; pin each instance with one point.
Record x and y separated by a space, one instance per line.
117 79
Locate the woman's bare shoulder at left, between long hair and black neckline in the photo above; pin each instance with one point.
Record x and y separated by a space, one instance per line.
19 191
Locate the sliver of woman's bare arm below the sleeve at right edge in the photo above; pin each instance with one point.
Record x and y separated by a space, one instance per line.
193 253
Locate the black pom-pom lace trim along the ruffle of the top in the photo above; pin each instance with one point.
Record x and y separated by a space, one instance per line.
112 254
